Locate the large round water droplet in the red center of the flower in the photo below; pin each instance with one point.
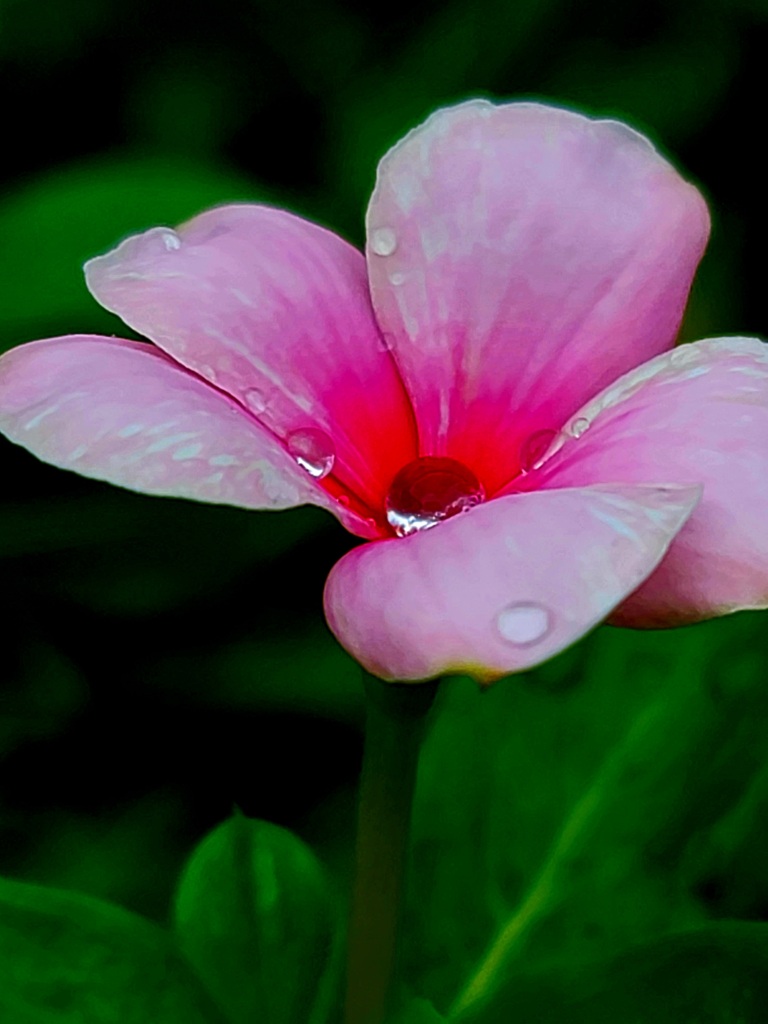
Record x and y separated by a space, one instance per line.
429 491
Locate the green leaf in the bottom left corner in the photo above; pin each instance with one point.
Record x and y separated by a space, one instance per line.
67 959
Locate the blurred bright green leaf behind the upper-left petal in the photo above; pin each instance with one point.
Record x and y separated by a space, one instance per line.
50 227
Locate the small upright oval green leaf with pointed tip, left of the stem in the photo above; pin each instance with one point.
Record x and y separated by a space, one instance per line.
255 917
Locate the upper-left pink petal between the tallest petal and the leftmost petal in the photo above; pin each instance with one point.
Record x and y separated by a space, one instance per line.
276 312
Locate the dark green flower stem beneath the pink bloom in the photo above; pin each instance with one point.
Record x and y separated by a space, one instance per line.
394 731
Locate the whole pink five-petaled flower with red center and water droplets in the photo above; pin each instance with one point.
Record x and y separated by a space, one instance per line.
498 367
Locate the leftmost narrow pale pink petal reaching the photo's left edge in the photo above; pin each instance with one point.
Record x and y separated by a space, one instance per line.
124 412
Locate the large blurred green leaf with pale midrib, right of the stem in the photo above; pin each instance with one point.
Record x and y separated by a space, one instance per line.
560 822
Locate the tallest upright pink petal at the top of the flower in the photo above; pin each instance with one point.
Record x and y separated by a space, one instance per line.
522 258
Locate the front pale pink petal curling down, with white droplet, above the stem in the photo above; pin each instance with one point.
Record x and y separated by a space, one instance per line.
503 587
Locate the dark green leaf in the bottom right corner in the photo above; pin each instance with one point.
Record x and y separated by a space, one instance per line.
717 975
